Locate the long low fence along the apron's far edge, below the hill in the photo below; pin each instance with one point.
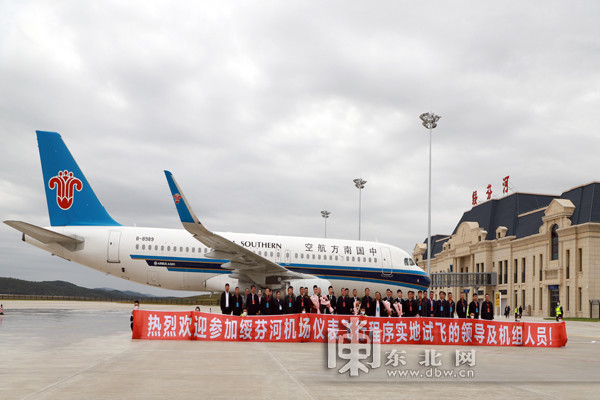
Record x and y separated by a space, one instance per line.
145 300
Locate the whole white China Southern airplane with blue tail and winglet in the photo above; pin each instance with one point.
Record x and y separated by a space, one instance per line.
195 258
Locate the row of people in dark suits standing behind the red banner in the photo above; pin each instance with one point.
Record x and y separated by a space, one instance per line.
255 303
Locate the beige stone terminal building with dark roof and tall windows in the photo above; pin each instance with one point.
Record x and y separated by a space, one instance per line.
533 249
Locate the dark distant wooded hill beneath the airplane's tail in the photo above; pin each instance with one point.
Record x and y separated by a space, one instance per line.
60 288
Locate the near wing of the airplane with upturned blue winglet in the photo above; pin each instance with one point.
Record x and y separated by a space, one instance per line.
241 260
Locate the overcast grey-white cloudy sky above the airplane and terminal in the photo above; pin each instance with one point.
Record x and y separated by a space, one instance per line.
265 111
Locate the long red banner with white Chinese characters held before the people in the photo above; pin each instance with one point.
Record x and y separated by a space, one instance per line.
193 325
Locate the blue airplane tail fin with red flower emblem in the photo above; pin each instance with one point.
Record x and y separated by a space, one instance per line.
70 198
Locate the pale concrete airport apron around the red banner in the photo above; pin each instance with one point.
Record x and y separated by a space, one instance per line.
77 350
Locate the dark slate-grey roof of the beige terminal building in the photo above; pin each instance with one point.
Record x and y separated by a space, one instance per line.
521 213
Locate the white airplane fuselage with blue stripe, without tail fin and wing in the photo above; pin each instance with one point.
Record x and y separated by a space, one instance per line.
174 259
